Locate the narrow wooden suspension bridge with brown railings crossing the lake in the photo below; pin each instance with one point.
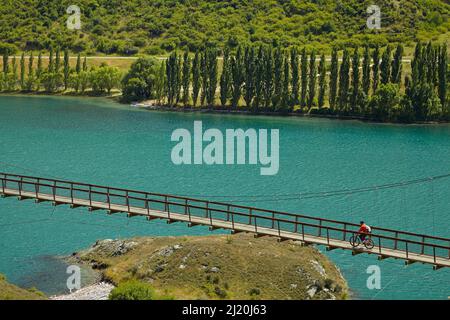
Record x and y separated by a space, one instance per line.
388 243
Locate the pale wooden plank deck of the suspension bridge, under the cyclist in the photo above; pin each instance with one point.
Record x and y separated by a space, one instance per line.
239 226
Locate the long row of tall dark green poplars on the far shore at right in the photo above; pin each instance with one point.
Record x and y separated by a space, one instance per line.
264 78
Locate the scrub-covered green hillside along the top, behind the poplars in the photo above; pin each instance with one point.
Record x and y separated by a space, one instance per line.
157 26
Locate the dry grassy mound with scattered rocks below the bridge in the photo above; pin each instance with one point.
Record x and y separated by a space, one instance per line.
218 267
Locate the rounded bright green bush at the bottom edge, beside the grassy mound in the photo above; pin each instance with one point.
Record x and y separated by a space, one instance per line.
132 290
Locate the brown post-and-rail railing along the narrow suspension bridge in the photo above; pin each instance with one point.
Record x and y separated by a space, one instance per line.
258 219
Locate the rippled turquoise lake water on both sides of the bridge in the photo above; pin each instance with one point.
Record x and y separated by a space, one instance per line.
101 142
